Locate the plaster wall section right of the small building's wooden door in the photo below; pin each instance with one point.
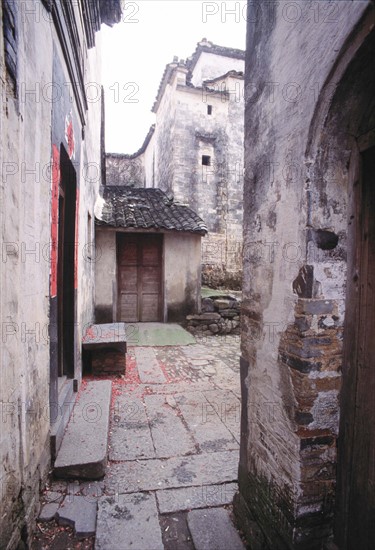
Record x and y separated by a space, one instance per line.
182 273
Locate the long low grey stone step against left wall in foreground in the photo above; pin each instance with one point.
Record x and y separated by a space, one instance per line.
83 451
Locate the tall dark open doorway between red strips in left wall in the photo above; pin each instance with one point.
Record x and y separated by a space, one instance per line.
66 269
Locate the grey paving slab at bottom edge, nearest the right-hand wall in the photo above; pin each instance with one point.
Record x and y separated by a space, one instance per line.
212 529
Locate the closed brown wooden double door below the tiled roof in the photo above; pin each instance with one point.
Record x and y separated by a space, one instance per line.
139 260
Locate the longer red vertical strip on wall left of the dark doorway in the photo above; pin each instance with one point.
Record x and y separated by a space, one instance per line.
54 218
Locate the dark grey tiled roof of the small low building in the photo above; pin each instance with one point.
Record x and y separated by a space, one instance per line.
146 209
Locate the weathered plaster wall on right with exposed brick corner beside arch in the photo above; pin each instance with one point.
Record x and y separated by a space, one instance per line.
295 221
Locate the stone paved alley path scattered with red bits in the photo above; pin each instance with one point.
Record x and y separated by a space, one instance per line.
173 448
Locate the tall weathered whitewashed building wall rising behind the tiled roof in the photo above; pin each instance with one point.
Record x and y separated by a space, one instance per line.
184 133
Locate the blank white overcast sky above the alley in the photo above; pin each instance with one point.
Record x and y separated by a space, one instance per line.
135 52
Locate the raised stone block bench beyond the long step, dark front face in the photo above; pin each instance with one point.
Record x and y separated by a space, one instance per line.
105 346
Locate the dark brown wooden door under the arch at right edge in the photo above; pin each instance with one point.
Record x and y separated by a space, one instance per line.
355 525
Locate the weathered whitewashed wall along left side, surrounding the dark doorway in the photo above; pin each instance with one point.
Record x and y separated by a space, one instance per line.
33 114
